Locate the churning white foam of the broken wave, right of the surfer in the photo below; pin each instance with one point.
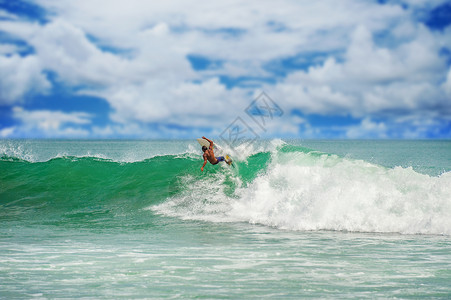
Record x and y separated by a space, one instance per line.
308 191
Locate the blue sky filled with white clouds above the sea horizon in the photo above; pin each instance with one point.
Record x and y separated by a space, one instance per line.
183 69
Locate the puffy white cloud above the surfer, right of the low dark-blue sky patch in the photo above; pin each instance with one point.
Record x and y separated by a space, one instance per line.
186 104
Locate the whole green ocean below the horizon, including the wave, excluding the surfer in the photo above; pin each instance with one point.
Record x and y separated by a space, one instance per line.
291 219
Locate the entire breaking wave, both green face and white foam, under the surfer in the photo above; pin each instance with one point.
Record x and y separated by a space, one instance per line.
283 186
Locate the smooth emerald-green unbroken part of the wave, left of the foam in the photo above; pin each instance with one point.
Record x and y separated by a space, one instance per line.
91 190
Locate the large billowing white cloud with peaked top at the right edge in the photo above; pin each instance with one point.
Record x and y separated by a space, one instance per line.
371 80
